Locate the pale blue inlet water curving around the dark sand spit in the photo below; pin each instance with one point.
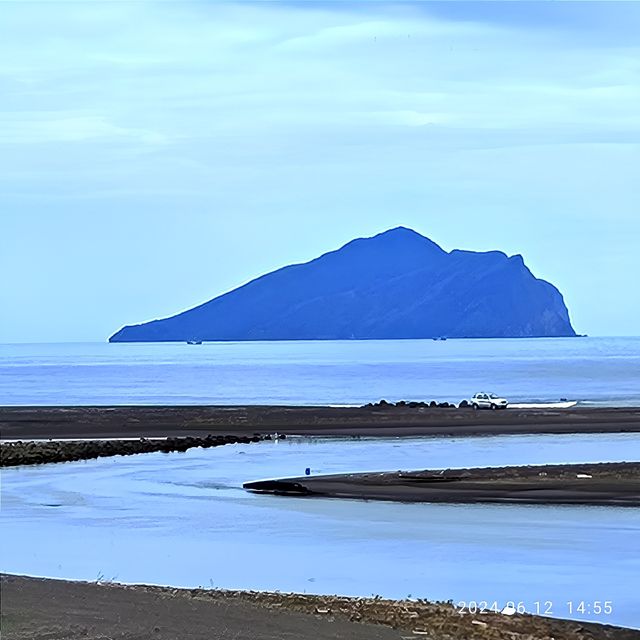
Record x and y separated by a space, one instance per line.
183 520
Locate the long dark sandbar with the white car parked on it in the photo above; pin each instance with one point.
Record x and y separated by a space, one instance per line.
22 423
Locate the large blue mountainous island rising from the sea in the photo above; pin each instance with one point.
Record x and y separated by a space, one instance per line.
397 284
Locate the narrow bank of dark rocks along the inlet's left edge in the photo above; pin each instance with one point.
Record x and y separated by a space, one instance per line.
20 453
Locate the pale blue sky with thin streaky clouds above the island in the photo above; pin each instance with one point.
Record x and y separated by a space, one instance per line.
154 154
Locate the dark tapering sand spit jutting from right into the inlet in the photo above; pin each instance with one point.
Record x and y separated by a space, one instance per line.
616 484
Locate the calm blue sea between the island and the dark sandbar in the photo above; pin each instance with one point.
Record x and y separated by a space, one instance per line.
590 370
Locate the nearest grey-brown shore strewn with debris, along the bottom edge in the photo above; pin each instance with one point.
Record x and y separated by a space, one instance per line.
36 607
